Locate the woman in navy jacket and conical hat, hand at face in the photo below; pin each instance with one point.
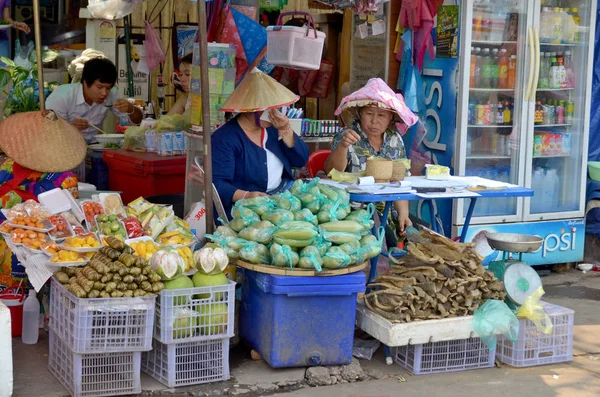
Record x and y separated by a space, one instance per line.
252 157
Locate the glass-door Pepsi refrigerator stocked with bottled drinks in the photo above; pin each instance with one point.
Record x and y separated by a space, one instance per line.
523 117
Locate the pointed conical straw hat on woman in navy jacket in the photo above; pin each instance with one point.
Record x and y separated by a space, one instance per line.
258 92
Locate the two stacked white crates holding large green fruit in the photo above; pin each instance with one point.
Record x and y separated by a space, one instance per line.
191 336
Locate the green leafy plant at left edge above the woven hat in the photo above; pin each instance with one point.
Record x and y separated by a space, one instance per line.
23 95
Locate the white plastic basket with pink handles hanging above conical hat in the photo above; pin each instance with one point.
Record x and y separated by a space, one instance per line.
295 47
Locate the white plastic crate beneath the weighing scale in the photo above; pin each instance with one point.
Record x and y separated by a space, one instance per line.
534 347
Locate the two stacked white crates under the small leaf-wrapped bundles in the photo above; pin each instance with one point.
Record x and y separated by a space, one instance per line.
96 344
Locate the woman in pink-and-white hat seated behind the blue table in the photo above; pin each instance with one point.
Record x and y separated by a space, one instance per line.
373 132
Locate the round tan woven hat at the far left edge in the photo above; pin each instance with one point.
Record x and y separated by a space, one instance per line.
42 141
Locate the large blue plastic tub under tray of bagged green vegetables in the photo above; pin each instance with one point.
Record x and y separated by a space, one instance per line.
300 321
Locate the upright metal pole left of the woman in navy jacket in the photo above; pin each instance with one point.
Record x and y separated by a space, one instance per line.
206 129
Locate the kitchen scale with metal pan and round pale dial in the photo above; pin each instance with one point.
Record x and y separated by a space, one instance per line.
520 280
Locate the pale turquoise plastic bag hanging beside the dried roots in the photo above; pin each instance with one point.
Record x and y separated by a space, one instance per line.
493 318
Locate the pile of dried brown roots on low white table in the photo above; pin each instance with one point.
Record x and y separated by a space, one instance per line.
438 278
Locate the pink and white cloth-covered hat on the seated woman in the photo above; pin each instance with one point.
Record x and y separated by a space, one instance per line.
377 93
